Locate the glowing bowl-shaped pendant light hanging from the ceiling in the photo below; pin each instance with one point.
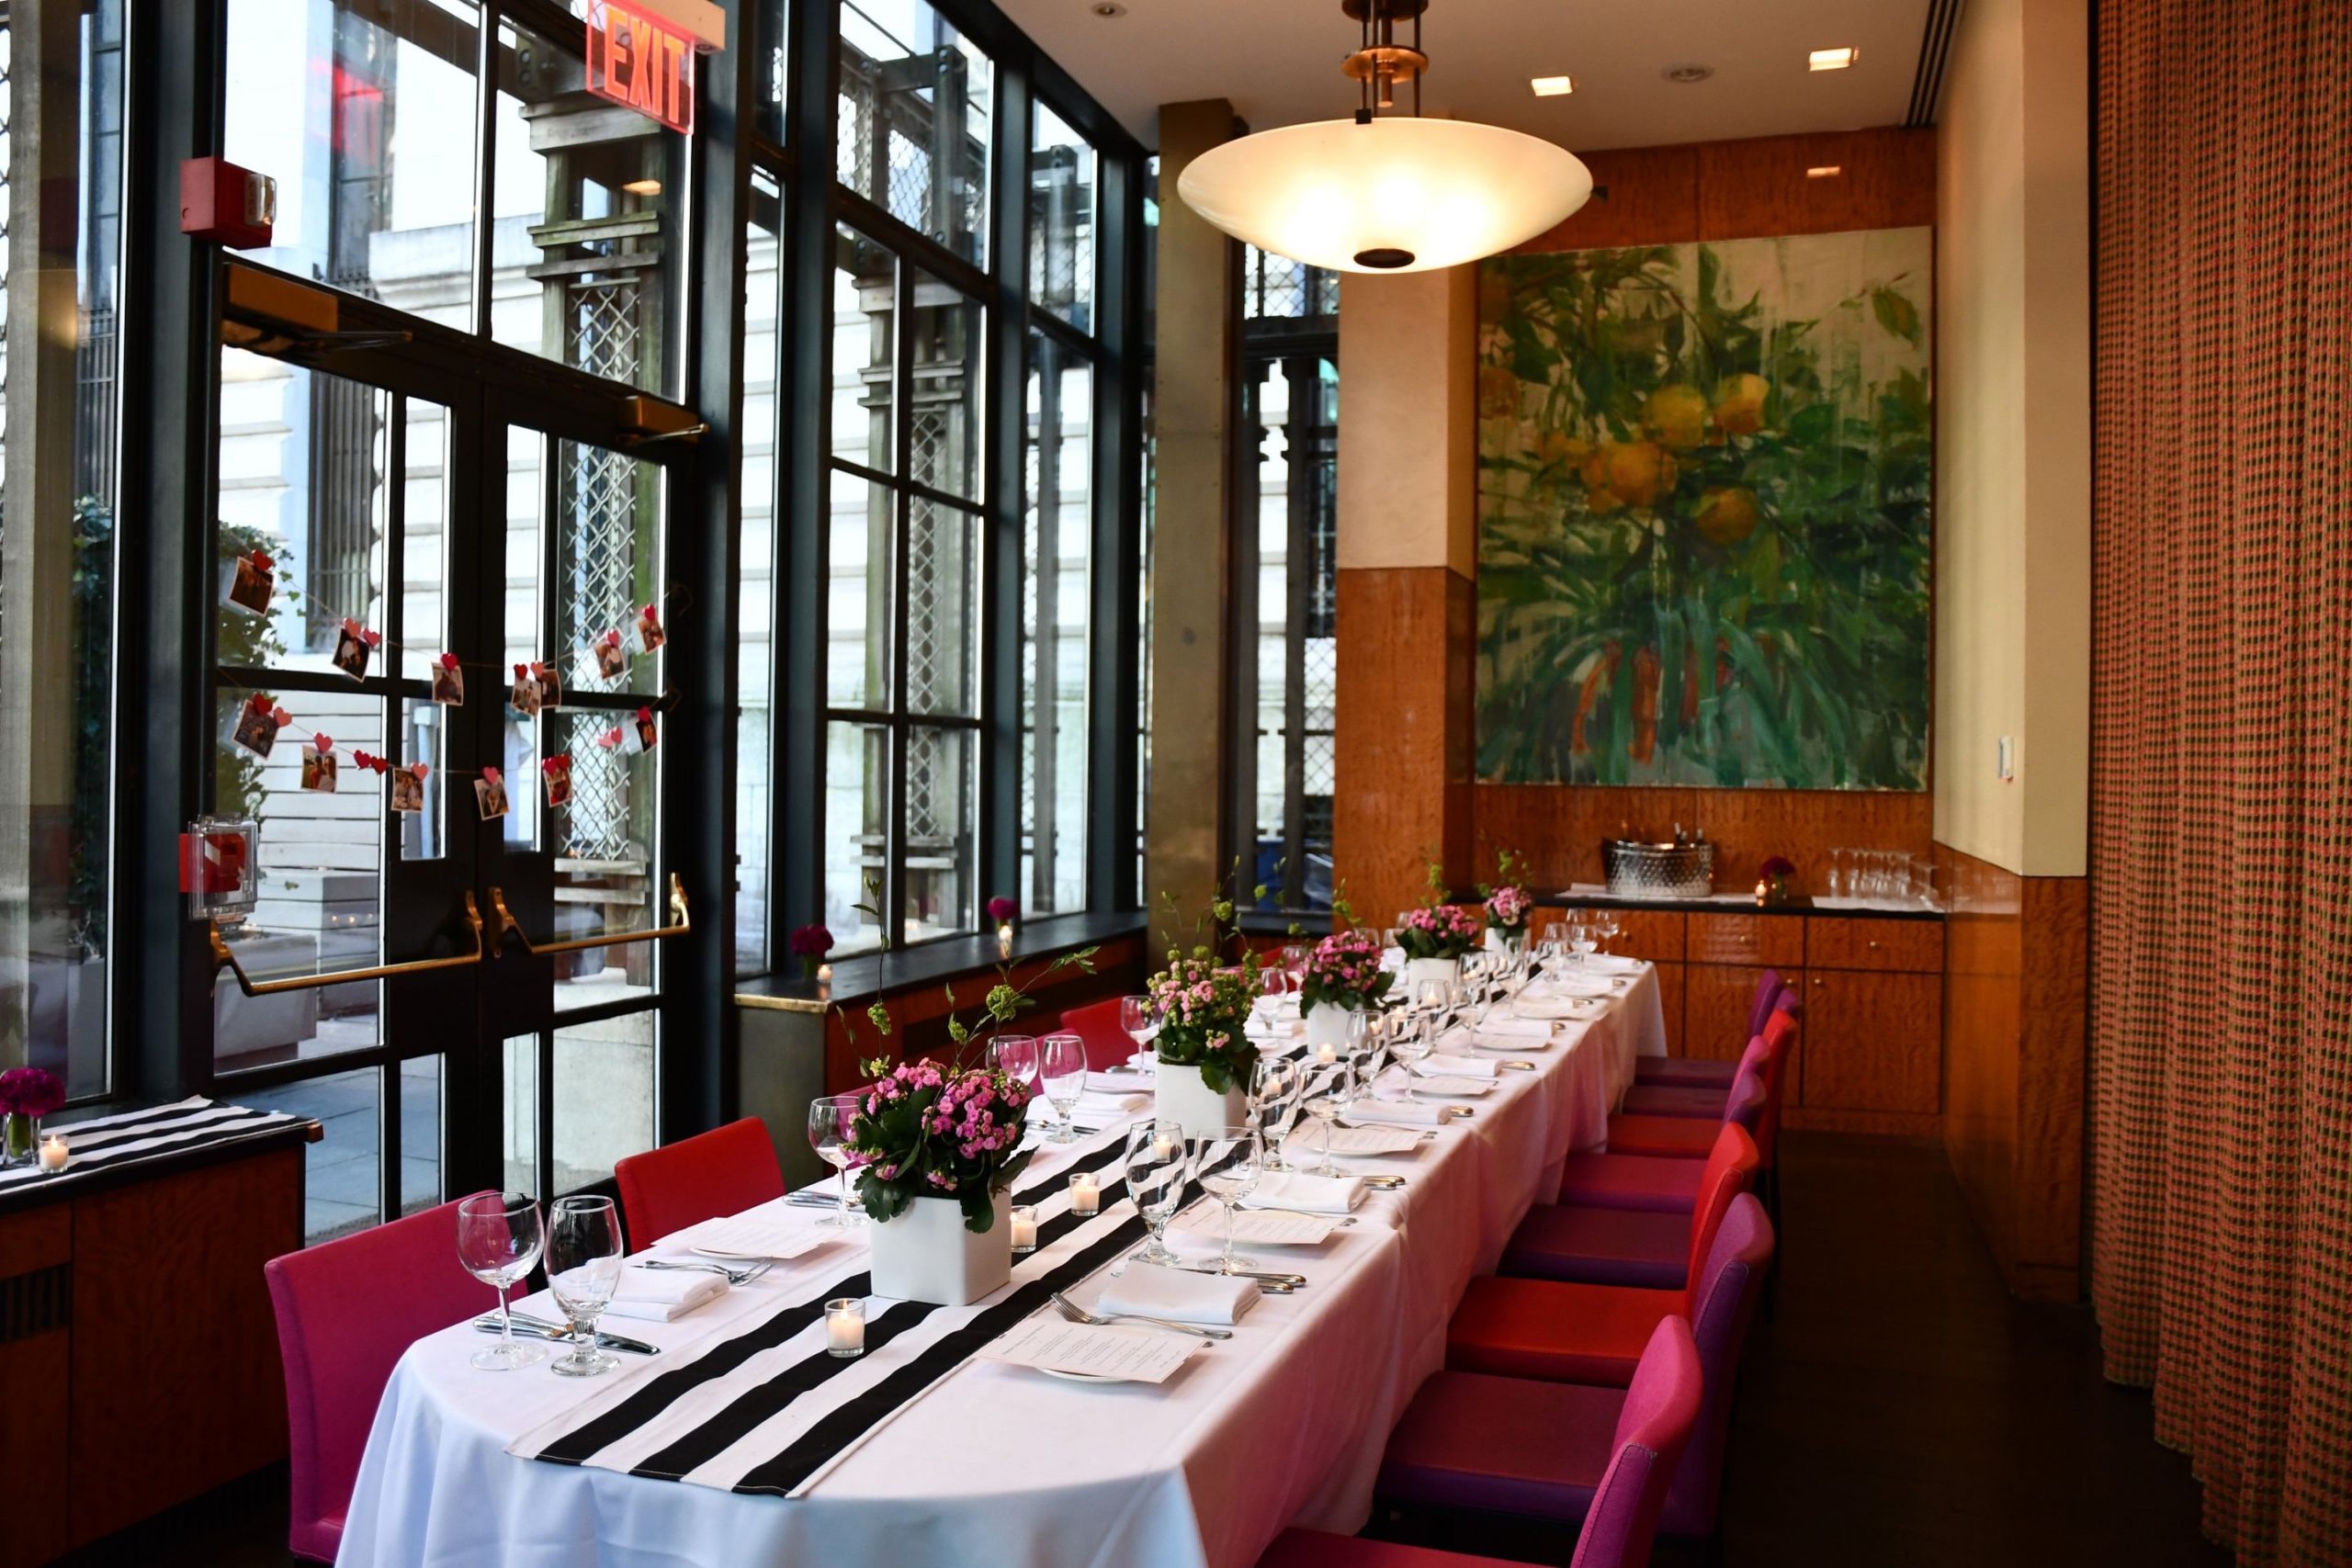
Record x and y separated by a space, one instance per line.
1387 192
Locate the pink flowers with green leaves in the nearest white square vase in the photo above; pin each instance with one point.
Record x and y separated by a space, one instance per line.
940 1132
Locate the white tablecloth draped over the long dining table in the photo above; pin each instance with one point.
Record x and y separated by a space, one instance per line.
996 1463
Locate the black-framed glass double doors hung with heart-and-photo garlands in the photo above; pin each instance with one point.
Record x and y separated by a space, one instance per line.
441 699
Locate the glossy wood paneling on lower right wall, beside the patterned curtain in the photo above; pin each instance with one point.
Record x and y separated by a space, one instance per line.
2014 1017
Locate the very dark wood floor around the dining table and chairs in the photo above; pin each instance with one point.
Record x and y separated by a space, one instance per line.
1899 1409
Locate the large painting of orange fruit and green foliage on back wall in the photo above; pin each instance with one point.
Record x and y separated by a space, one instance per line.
1704 514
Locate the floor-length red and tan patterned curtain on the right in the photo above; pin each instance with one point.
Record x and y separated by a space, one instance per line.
2221 991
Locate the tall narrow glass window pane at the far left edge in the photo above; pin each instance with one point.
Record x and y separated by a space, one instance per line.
62 194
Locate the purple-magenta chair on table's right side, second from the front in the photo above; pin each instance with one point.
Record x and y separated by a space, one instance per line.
1542 1449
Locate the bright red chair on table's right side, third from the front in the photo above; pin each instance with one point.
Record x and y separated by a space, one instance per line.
1572 1334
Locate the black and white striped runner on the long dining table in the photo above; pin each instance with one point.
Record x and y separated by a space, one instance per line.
768 1412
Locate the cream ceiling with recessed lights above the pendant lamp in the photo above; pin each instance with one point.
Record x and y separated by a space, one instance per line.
1278 62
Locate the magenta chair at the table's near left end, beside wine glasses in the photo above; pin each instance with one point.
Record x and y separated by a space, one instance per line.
347 1311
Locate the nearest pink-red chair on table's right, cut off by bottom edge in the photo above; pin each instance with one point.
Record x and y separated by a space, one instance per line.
1652 1430
